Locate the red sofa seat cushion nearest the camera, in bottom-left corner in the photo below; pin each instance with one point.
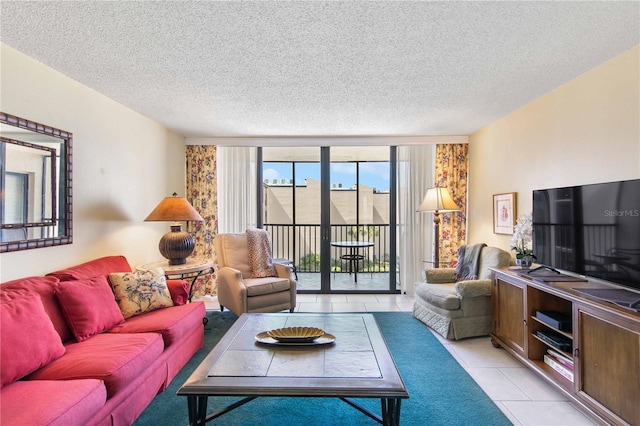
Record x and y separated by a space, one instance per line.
52 402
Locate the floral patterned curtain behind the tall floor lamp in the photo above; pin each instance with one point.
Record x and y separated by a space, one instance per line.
451 173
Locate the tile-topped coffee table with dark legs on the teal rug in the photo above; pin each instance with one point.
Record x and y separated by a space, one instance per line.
357 365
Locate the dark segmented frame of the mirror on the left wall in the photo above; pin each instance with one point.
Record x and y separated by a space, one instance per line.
65 168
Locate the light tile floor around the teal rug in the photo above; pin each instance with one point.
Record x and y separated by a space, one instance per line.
522 396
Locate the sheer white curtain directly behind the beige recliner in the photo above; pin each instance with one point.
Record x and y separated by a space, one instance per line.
236 167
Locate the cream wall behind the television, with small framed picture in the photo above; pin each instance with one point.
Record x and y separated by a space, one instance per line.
586 131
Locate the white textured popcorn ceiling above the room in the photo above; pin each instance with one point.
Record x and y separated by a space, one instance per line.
208 69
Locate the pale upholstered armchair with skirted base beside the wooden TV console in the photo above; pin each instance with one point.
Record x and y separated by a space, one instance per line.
454 308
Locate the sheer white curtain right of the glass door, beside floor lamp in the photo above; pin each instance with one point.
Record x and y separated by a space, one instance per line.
416 166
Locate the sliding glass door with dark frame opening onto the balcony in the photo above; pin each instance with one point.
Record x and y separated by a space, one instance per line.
329 211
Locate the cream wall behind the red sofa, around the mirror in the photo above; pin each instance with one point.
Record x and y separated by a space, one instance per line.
123 165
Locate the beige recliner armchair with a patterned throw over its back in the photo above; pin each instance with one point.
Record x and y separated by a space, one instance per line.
239 292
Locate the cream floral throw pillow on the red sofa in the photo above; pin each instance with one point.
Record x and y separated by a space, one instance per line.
140 291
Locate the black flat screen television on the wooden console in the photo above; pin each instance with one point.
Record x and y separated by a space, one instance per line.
592 230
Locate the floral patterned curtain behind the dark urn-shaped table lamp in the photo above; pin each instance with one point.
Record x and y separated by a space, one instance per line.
201 193
